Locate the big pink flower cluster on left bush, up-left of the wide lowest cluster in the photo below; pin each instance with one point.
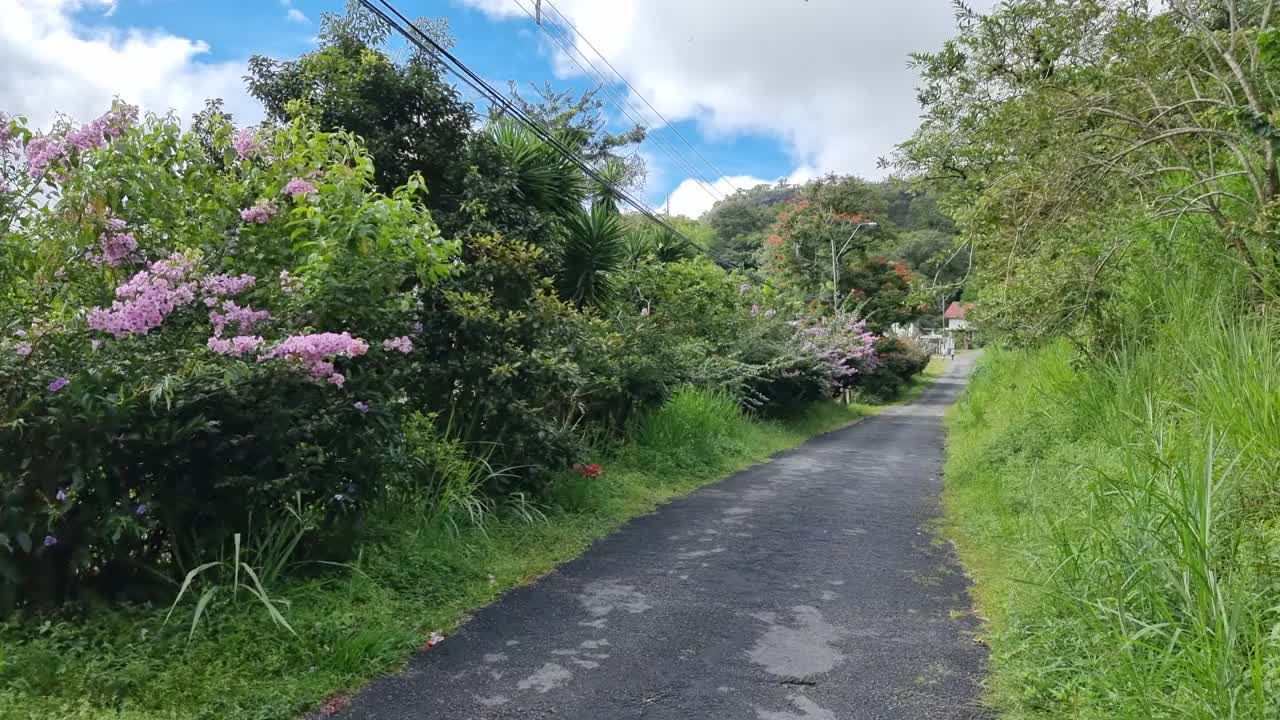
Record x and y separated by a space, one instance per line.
147 299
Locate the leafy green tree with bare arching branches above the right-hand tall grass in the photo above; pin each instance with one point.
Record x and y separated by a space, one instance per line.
1063 133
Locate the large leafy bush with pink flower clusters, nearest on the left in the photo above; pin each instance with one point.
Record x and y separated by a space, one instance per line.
190 339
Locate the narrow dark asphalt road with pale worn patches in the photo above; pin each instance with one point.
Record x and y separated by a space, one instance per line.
807 589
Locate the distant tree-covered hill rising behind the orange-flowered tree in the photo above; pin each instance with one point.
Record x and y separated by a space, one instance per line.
913 229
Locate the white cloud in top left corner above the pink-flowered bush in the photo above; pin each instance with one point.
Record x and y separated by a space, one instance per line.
57 57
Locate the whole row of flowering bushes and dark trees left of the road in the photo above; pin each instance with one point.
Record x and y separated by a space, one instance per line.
221 339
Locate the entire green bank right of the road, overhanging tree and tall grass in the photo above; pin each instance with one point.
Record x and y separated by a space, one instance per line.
1112 480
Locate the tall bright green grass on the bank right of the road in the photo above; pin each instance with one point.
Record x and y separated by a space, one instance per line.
1119 518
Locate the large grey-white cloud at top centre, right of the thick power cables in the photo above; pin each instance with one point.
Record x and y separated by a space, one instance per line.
830 79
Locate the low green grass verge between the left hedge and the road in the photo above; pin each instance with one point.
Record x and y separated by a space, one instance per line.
415 576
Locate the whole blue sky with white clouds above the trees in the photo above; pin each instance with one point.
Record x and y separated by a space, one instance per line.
764 89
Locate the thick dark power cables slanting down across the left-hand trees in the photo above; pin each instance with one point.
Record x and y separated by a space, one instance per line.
467 75
